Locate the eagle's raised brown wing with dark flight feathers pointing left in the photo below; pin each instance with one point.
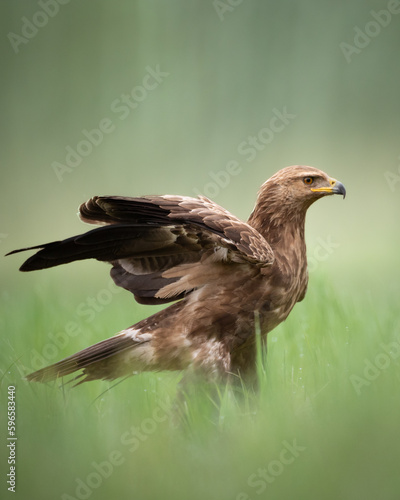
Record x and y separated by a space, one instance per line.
160 247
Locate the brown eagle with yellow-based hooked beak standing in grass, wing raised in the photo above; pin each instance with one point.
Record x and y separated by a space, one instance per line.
220 273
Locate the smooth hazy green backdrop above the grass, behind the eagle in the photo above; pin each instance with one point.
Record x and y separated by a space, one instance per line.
228 69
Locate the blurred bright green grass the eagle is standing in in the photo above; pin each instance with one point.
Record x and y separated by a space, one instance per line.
220 443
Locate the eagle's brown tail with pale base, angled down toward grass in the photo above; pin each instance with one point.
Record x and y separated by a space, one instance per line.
118 356
